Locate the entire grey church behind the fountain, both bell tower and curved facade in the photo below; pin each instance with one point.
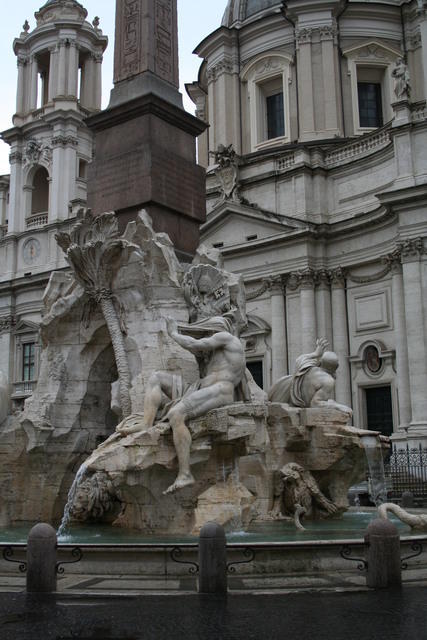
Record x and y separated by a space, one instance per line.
316 159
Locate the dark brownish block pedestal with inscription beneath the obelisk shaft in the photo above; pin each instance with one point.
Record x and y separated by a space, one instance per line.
145 157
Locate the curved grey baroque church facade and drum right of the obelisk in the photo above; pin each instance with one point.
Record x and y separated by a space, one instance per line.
316 160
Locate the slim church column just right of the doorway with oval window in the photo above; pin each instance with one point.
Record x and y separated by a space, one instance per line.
401 345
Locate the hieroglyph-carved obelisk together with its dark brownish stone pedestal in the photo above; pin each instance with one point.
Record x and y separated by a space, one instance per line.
145 150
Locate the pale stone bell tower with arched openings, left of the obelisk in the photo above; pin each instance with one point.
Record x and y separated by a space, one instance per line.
59 85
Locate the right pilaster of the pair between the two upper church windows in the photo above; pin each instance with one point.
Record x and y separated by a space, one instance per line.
329 67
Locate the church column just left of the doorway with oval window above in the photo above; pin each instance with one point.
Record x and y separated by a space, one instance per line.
340 336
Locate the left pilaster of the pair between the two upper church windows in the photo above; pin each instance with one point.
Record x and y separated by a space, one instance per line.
305 83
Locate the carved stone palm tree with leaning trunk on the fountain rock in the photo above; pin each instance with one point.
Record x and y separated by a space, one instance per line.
93 249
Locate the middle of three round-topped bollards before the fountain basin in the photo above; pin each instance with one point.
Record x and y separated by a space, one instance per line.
212 559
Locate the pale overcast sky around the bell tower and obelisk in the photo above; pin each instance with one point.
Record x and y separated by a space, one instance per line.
197 18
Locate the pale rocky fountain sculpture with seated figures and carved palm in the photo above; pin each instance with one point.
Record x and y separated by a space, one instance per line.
136 384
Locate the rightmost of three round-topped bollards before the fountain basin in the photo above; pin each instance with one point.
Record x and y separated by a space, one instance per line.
382 542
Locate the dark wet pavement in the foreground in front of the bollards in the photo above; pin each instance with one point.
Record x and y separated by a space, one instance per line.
388 615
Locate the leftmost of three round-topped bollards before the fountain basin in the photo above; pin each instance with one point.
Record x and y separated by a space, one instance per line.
41 559
